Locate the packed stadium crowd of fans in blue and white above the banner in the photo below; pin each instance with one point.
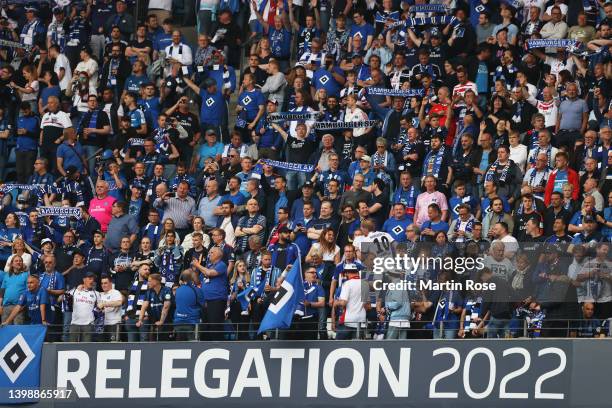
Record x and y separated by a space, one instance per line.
154 188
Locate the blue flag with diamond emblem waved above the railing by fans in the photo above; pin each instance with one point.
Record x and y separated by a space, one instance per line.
291 293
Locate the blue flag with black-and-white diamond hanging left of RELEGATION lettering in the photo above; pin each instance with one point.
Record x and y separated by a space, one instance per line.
20 355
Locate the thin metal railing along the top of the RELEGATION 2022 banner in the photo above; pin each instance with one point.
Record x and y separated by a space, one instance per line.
313 330
